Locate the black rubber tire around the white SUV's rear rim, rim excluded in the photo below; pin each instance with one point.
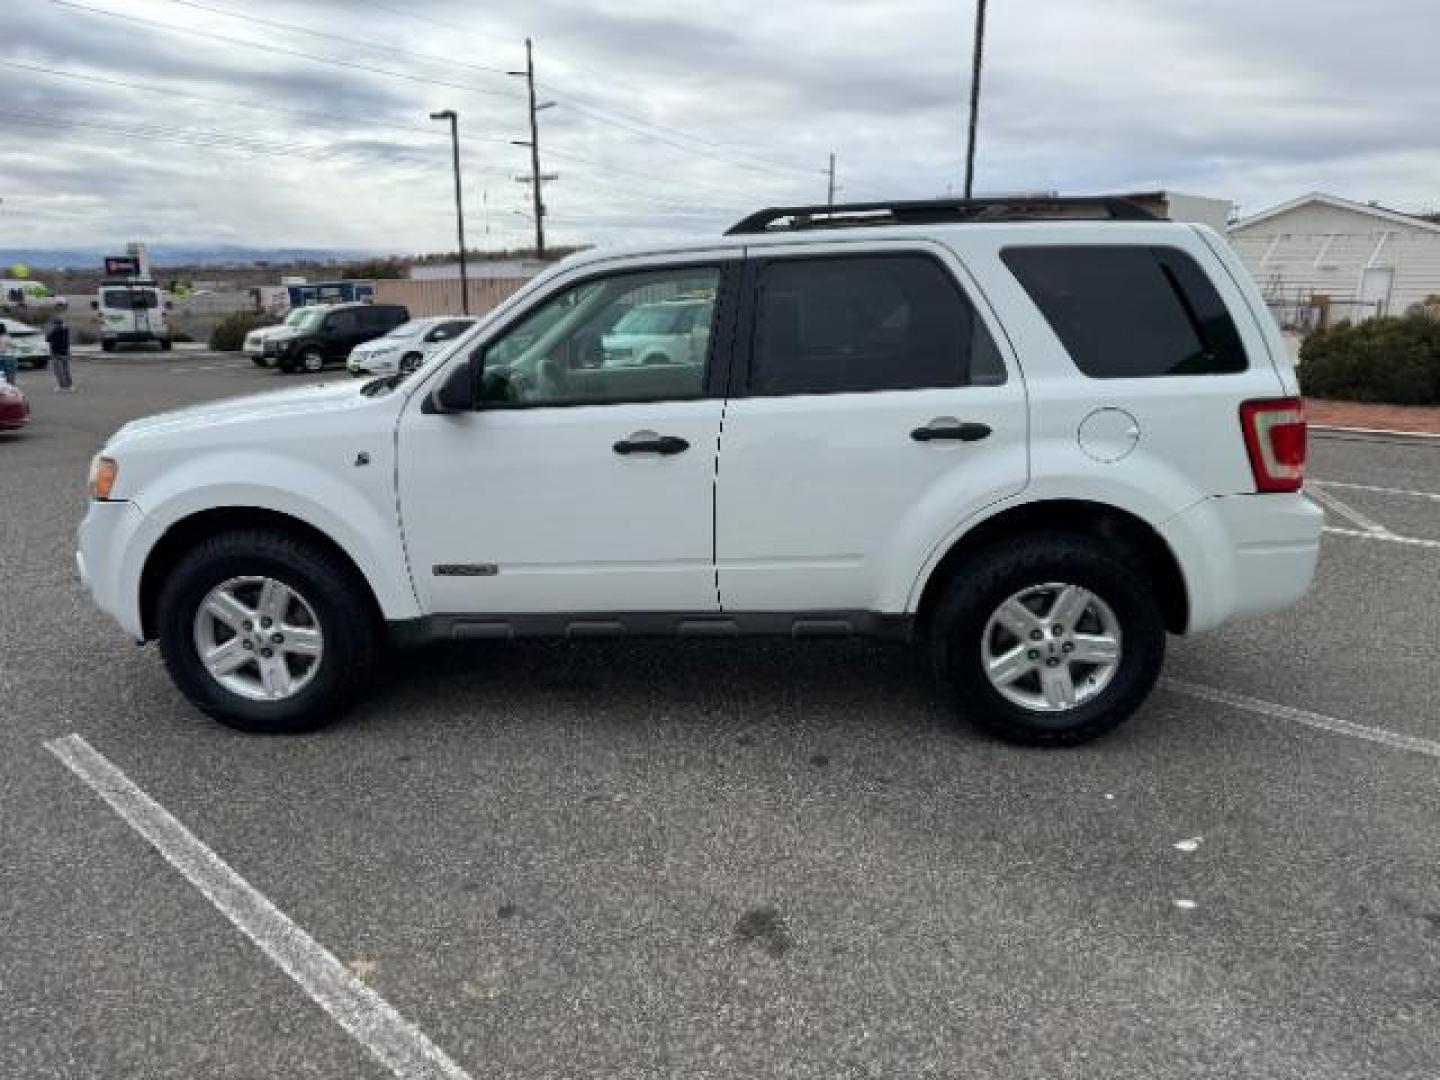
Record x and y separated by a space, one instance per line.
997 574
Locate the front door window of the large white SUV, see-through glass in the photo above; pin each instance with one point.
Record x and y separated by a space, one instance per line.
582 346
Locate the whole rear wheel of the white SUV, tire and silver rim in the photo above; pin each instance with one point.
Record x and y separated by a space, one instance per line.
1049 642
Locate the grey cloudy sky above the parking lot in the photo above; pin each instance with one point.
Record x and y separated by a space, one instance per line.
305 122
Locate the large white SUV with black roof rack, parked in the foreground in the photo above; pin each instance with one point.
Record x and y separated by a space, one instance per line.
1029 436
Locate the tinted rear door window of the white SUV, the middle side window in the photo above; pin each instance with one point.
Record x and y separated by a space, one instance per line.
866 323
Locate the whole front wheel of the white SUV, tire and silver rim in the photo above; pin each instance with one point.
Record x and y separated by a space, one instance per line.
266 633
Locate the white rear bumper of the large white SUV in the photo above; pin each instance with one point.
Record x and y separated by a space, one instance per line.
1245 555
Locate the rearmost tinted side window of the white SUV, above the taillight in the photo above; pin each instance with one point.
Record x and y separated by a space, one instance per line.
1131 312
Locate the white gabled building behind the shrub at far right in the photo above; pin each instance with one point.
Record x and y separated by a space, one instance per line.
1320 258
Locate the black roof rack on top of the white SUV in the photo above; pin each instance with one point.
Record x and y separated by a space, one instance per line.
944 211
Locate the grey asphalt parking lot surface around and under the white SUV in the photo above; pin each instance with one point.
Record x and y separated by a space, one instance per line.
731 860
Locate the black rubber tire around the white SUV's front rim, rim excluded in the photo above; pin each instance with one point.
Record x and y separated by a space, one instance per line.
342 607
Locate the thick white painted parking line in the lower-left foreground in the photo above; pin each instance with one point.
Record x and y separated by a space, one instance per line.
394 1042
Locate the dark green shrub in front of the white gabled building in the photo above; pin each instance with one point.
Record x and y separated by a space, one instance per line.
1385 361
